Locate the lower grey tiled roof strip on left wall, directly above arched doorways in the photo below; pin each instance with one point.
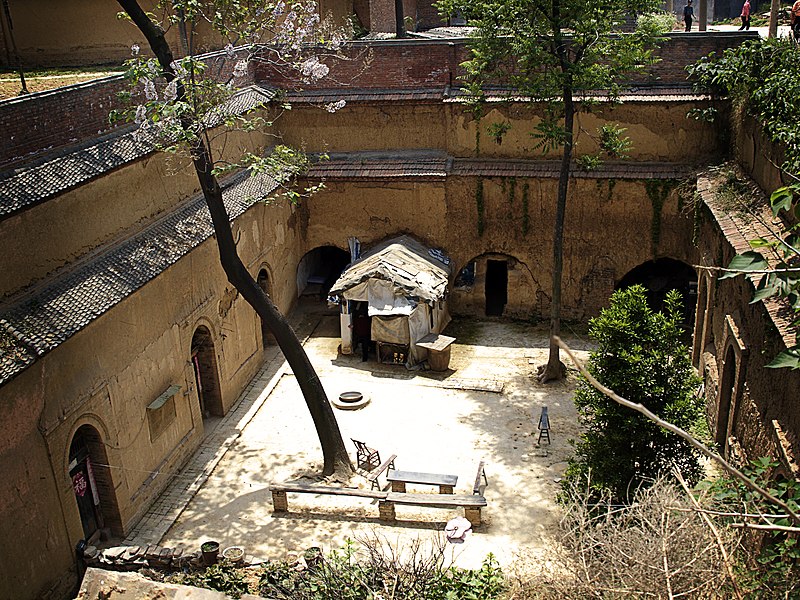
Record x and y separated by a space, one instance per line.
43 318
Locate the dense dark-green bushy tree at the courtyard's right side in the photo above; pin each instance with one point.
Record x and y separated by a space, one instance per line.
641 357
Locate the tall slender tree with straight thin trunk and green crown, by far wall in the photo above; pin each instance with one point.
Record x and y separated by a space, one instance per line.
551 51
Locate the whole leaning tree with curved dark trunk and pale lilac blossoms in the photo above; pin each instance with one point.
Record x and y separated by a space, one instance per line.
178 103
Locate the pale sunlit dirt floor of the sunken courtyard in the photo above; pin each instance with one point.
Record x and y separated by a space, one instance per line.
433 422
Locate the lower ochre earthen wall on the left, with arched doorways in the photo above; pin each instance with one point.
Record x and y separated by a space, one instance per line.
106 375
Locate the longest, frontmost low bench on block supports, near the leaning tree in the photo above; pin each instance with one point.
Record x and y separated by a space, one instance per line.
471 504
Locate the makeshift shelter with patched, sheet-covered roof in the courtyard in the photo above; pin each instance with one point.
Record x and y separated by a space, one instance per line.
405 286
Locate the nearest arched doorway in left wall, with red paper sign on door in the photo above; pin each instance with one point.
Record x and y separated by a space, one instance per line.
92 484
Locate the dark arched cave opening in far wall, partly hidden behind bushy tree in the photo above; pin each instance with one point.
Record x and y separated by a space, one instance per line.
659 277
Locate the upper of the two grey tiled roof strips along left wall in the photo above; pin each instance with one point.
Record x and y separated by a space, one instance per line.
24 187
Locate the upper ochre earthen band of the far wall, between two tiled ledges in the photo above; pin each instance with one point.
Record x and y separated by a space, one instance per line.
659 130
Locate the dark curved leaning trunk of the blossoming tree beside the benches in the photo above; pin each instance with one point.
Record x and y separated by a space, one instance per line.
336 460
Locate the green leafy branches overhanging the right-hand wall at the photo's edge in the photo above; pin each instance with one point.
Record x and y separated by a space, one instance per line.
762 77
